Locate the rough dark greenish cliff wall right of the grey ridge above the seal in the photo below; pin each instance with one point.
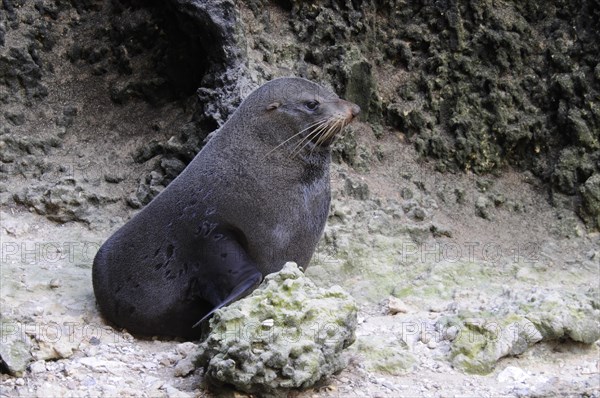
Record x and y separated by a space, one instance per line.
475 86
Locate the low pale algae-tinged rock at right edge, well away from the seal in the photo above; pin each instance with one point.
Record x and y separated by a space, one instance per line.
543 315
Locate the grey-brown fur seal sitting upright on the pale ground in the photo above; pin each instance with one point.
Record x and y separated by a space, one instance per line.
256 196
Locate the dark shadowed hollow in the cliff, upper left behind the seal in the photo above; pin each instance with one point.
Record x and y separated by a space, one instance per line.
165 54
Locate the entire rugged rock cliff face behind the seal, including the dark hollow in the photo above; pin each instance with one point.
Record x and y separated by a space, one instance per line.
475 86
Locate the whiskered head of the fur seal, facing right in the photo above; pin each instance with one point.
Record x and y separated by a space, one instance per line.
308 115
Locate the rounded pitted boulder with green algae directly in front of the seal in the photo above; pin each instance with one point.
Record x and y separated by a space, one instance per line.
287 334
